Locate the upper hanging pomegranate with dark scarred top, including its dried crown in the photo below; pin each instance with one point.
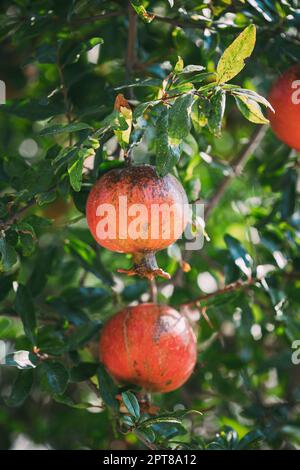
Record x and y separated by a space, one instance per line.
133 210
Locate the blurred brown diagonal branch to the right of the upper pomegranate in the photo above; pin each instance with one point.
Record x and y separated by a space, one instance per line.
238 165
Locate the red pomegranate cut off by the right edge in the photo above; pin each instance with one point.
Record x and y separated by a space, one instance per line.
285 99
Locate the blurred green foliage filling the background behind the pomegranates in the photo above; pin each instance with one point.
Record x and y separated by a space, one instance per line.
62 63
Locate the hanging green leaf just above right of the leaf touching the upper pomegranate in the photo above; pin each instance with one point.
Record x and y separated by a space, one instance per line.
180 118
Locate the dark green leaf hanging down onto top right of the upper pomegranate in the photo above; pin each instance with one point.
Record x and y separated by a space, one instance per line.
167 153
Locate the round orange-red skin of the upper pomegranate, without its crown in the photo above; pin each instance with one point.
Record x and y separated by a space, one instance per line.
141 185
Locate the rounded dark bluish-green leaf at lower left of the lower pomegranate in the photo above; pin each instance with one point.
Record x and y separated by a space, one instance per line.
54 377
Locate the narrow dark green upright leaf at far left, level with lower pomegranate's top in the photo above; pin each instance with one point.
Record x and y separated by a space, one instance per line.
25 308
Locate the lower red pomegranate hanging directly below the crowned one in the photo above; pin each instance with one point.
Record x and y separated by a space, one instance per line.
149 345
